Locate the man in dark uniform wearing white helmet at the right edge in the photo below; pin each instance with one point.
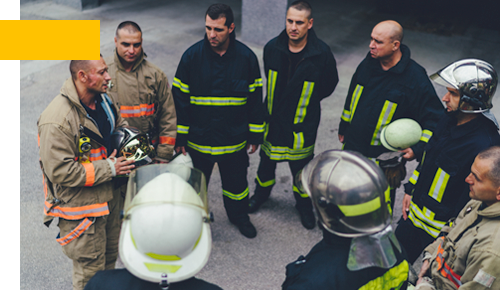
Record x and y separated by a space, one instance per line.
437 190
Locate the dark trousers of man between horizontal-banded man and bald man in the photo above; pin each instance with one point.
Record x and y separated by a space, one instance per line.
266 178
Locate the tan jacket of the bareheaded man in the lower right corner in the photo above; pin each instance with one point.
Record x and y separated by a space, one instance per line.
468 256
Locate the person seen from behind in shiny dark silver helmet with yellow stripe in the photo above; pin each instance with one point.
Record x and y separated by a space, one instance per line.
359 249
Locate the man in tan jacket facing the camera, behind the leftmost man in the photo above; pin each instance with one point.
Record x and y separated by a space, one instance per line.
141 91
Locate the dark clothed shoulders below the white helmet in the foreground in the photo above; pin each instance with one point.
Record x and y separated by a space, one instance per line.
122 279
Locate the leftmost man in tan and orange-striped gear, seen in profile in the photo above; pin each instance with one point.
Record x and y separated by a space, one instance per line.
77 168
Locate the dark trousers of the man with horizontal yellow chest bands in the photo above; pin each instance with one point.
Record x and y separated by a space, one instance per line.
233 173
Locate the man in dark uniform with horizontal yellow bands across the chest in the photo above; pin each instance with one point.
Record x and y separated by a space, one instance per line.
218 97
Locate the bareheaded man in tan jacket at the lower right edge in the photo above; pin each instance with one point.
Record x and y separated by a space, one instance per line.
467 253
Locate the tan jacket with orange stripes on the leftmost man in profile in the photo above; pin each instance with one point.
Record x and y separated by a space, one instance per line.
76 185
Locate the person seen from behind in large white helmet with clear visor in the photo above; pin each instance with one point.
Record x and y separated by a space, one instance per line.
165 237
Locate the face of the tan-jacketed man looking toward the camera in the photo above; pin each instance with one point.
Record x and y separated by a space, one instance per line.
128 45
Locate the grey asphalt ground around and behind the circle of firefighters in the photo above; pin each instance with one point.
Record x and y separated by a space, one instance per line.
169 28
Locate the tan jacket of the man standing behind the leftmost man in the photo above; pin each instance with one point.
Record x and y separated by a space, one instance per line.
145 100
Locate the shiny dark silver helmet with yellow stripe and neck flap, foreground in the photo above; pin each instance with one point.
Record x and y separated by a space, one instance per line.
349 193
